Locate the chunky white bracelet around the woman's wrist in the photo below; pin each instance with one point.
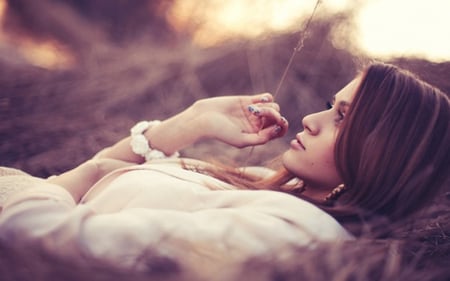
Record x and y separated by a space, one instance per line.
140 145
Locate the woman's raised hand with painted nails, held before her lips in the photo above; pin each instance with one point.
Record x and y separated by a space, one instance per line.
241 120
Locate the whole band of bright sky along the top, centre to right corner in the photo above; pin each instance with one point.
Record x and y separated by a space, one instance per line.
384 28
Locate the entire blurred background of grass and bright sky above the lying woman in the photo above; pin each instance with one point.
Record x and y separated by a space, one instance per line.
76 74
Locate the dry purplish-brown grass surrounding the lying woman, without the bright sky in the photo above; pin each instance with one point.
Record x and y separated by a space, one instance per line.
51 120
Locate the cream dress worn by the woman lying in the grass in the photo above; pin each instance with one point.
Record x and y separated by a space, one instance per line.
162 208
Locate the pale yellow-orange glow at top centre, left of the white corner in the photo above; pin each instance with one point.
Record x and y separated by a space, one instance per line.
216 20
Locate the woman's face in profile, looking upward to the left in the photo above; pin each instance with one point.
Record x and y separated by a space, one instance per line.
311 153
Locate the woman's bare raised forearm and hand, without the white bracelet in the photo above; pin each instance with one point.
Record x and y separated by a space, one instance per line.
228 119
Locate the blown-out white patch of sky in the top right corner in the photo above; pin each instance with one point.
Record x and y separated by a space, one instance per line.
406 28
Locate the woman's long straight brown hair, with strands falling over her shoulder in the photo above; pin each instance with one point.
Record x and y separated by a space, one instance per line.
392 150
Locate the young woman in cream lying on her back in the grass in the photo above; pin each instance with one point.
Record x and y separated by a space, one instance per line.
382 145
